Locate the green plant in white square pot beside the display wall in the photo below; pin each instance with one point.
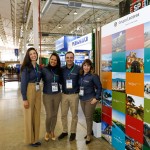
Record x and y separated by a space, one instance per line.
97 122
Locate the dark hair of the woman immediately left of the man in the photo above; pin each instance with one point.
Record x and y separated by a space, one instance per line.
58 66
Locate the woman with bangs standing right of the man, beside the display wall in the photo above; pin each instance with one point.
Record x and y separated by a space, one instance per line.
90 92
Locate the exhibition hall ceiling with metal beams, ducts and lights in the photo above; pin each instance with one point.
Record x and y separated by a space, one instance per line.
57 18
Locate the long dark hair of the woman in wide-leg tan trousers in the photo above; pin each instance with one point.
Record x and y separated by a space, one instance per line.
27 60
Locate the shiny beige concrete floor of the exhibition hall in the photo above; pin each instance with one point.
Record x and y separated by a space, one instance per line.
12 129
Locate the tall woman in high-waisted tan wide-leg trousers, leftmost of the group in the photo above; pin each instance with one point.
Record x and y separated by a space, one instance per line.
31 93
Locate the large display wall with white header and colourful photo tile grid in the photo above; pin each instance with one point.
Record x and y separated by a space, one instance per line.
125 77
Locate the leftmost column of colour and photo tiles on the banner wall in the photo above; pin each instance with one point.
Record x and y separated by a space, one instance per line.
106 79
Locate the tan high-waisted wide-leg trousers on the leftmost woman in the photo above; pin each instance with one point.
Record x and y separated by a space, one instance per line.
32 114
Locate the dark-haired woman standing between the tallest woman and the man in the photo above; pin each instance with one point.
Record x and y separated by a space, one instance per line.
51 94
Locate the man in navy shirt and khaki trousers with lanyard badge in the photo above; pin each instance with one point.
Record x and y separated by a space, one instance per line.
70 96
